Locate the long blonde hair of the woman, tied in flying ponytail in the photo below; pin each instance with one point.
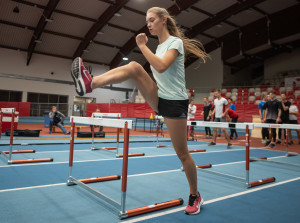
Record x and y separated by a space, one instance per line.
191 46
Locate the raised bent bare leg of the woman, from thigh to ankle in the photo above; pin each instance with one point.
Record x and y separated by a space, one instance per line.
133 70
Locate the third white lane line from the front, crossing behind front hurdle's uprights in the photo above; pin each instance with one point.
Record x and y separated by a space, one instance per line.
111 159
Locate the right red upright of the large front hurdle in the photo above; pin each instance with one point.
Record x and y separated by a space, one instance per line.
123 213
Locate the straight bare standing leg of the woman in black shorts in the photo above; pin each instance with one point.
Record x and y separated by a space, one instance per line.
177 130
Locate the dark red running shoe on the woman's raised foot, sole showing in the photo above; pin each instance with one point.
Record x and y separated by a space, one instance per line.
81 76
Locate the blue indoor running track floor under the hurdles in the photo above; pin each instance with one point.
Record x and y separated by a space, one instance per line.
38 193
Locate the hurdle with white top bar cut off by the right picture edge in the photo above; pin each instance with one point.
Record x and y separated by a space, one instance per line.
287 153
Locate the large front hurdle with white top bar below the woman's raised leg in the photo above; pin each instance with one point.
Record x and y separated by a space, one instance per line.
118 207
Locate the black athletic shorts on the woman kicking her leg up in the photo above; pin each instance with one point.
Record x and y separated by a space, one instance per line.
173 109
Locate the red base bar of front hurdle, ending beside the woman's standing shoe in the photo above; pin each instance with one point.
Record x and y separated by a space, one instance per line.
151 208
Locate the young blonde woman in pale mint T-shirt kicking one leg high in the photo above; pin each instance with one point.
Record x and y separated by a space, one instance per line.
168 97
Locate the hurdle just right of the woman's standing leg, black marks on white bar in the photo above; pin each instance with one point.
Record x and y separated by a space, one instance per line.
245 180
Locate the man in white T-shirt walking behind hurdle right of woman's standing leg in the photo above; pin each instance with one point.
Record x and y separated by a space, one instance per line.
220 111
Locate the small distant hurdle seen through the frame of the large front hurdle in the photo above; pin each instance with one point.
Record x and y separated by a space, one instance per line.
114 149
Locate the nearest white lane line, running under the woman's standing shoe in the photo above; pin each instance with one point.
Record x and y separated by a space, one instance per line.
211 201
